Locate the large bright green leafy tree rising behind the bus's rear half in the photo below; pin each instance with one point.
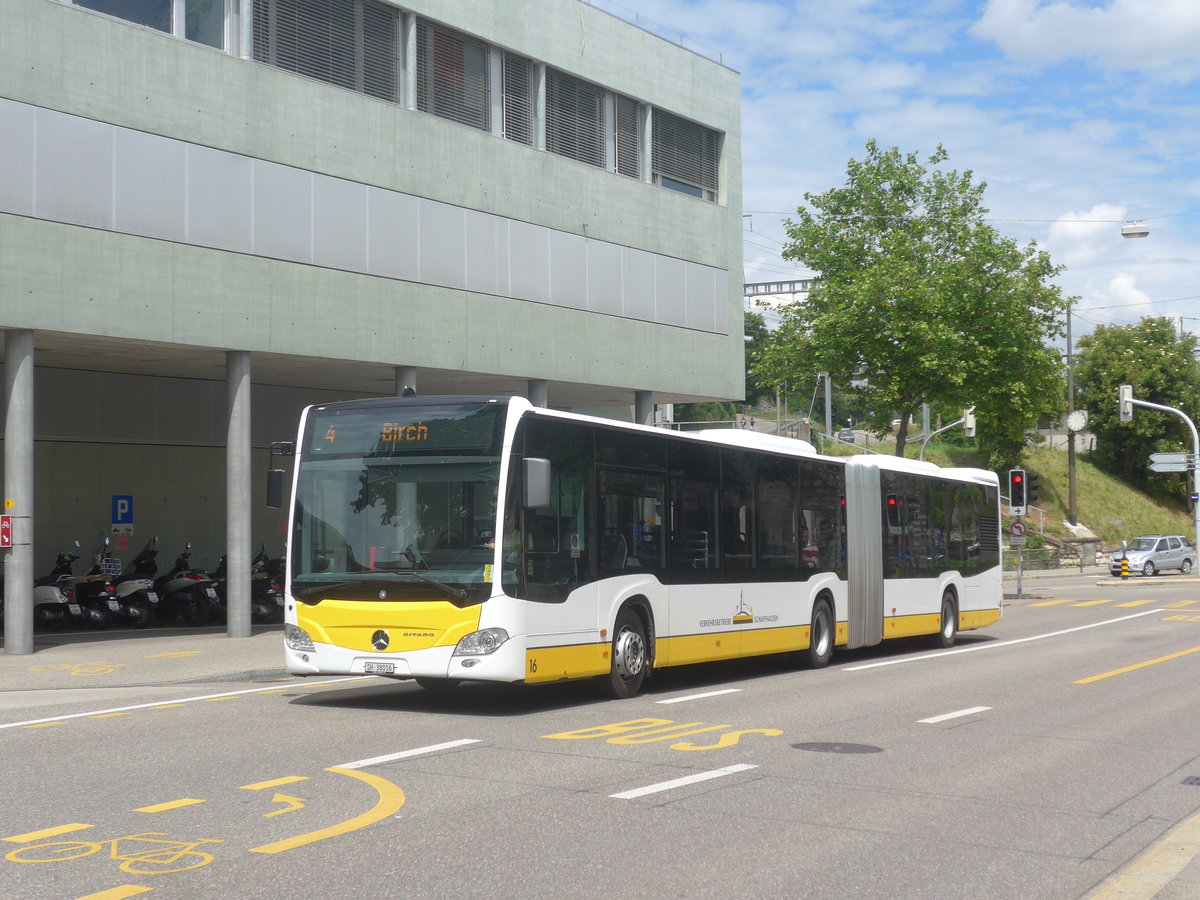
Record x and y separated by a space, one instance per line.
919 301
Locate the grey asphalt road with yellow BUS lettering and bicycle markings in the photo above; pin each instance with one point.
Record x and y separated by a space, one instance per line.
1039 759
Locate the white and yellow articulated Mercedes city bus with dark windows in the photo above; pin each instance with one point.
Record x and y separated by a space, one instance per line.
452 539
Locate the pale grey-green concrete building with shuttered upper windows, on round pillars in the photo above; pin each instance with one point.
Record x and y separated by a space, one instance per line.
217 212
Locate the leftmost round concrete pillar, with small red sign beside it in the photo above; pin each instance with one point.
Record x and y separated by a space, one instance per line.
19 488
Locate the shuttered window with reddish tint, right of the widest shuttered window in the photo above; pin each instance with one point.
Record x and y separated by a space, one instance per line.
453 76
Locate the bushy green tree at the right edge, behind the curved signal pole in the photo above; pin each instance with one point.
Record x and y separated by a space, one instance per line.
1162 369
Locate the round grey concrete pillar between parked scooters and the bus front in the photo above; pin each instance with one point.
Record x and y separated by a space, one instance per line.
238 487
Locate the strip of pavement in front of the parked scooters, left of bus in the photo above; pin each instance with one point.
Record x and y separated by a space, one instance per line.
117 658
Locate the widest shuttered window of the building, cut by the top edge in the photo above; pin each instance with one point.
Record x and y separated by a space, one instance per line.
351 44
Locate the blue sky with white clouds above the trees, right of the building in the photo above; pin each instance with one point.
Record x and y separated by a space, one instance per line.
1079 116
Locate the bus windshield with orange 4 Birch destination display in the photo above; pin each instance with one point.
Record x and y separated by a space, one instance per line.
398 502
